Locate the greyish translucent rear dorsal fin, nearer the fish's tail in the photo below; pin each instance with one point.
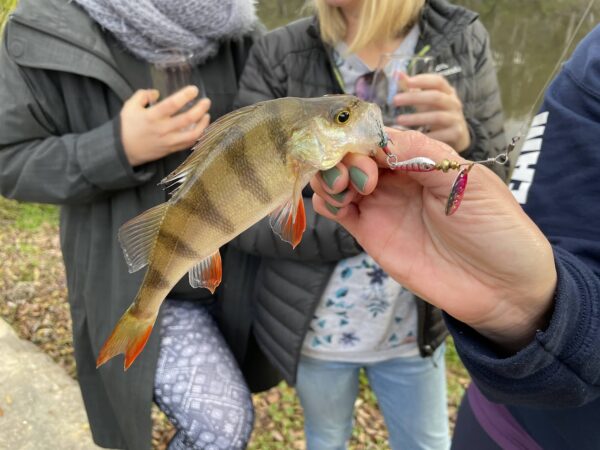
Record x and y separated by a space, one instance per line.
138 235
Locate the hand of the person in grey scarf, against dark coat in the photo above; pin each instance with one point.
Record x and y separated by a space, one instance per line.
151 133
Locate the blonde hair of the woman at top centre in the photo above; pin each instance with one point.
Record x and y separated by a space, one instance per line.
379 21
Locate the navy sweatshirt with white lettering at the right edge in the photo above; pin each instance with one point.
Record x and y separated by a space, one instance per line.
557 180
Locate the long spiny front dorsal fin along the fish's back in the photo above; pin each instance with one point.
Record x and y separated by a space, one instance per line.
201 151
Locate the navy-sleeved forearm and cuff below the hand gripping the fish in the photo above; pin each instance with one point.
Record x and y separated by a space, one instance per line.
560 366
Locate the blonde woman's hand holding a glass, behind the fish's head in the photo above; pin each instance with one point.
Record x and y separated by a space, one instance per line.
438 109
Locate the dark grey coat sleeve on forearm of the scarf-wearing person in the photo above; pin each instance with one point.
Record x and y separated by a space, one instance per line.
69 169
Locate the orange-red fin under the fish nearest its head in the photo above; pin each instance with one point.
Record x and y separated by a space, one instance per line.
289 220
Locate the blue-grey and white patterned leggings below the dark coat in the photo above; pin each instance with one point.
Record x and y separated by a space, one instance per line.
198 384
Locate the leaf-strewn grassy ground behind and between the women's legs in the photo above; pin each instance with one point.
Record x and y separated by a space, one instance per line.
33 301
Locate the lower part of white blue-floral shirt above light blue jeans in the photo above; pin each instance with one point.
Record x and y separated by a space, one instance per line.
364 316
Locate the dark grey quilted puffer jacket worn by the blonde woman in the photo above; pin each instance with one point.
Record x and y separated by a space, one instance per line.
287 284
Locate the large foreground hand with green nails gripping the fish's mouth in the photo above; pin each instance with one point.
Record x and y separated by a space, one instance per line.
488 266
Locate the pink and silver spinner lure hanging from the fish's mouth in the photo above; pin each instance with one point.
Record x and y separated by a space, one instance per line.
423 164
